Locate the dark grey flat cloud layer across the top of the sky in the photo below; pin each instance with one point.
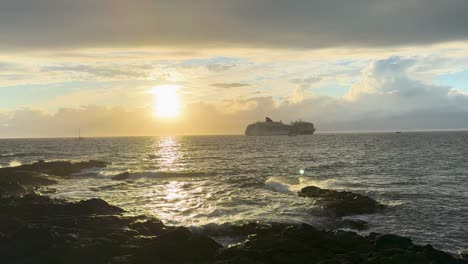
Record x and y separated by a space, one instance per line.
247 23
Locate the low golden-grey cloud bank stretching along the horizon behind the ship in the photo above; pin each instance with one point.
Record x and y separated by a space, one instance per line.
386 98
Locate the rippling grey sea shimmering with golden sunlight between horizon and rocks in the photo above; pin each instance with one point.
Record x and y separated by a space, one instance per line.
200 180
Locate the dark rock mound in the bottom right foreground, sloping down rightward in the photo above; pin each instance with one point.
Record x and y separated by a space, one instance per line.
284 243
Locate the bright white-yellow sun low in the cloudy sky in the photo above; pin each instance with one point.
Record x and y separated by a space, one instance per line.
167 101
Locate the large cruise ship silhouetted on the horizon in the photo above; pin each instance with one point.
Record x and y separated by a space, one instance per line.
275 128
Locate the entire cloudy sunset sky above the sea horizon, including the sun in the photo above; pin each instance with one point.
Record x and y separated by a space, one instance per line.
356 65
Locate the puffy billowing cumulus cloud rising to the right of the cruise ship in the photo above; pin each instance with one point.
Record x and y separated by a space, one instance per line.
387 89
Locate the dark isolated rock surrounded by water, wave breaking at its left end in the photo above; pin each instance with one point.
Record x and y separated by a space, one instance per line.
342 203
